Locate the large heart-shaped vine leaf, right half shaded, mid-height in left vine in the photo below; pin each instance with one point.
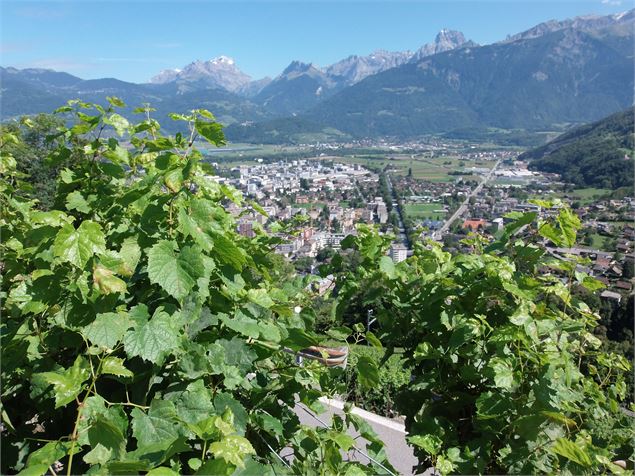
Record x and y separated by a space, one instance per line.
176 272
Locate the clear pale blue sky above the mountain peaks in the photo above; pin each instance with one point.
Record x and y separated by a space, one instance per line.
134 40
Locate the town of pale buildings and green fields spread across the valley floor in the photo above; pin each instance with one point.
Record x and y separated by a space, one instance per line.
420 196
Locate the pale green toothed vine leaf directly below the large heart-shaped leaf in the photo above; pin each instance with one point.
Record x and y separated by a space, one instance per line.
153 339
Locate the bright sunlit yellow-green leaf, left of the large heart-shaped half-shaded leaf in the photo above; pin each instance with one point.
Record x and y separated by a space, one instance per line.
77 246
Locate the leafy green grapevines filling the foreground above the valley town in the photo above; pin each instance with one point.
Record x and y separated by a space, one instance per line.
143 335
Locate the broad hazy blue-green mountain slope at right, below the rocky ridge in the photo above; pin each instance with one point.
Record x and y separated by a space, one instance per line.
562 77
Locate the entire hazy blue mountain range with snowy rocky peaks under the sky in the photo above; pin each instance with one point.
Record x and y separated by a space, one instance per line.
554 74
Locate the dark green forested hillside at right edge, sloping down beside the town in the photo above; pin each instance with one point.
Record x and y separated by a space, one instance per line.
594 155
